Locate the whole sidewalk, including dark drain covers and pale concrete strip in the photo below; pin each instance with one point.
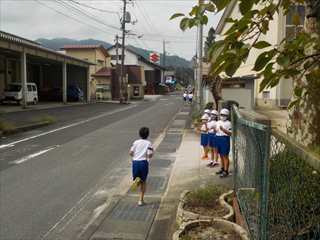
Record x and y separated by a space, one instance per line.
175 168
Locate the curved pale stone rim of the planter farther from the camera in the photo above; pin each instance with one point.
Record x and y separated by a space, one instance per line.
186 216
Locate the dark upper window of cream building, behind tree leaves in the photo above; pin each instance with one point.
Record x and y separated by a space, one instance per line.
295 20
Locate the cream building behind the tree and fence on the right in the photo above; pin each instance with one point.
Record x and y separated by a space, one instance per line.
245 83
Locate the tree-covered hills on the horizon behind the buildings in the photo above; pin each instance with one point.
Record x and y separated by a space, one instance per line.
183 67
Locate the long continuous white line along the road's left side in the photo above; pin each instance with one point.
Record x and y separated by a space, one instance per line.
12 144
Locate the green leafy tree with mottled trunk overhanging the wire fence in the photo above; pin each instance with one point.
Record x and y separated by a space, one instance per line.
296 57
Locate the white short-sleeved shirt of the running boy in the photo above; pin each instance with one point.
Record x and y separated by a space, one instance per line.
141 149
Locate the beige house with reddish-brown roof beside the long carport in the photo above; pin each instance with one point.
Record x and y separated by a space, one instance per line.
100 73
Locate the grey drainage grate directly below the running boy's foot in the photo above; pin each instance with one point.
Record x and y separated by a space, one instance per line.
128 211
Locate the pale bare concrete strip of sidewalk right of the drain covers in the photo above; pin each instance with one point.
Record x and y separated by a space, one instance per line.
189 172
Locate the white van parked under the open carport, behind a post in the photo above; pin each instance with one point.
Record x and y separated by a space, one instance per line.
13 93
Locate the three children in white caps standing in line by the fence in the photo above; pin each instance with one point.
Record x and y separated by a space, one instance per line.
215 139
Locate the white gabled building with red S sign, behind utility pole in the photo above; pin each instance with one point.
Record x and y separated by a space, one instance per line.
152 72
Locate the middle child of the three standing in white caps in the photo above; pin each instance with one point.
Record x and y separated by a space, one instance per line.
212 125
